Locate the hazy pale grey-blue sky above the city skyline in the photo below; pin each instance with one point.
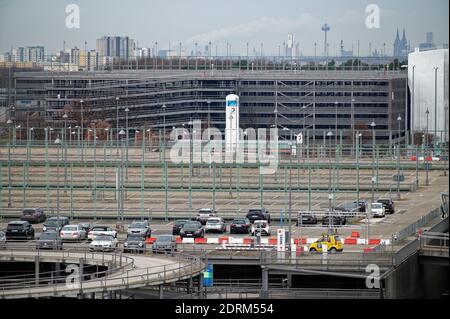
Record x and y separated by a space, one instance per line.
42 22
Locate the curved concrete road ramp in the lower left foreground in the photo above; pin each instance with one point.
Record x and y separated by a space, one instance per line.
123 272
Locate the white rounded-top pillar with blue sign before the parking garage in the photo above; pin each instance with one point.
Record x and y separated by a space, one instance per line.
232 125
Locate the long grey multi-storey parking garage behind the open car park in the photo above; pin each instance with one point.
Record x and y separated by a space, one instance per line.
314 101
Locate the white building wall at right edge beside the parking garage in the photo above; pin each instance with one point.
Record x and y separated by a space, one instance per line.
423 89
